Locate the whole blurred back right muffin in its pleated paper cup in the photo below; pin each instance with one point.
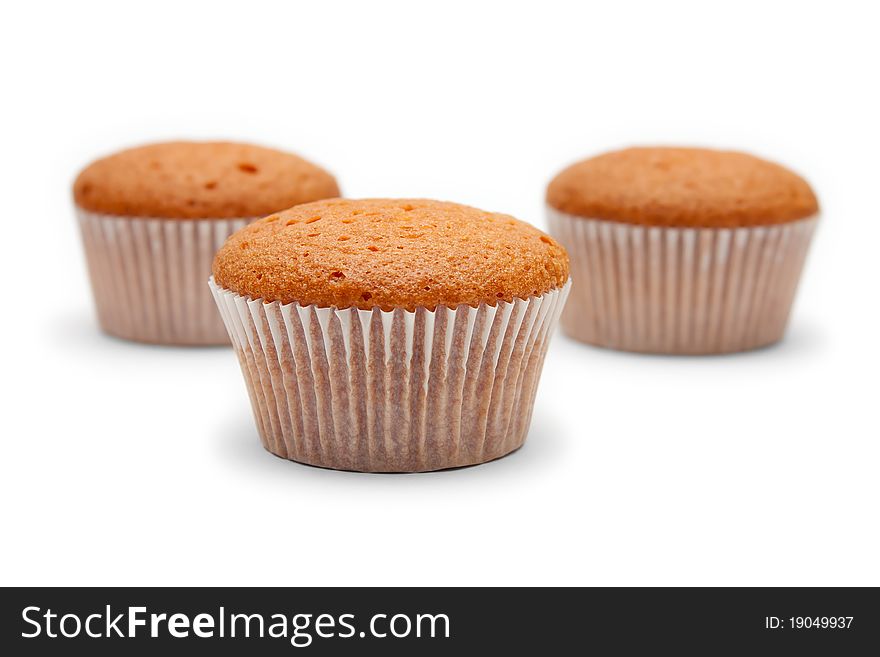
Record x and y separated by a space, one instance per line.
681 250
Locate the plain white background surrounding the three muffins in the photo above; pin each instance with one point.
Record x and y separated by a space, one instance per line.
130 464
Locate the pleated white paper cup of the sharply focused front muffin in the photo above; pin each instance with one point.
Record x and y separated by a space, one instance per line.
391 391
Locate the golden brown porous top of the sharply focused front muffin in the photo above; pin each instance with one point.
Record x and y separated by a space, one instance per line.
389 253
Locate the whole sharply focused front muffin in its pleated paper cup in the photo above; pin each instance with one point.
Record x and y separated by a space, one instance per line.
390 335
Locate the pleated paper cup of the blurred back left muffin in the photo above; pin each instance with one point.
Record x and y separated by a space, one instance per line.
148 276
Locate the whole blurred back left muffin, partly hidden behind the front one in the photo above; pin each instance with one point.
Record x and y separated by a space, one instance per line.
152 218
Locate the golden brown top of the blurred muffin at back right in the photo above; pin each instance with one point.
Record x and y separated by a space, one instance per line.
683 187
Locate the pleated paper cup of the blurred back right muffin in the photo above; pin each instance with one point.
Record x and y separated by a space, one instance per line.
680 290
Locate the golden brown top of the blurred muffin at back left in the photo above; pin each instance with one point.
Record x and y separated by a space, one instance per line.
200 180
